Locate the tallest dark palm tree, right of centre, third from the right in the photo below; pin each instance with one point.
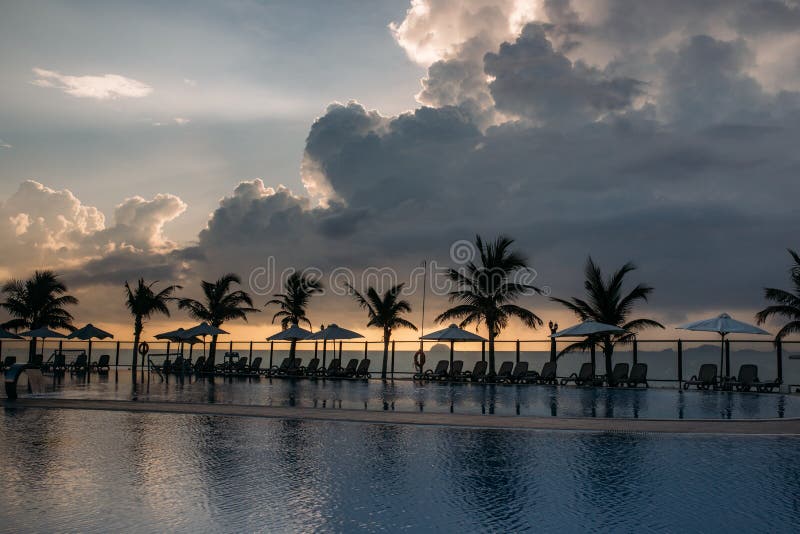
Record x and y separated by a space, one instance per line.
487 292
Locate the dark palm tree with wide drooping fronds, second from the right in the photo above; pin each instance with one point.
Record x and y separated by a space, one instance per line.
606 304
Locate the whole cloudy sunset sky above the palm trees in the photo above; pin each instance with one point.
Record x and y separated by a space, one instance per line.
185 140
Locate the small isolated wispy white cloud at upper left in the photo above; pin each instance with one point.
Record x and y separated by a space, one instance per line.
99 87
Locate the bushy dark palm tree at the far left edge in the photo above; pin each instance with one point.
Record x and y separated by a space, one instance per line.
37 302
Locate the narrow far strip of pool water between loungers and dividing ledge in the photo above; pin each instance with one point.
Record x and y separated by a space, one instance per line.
465 398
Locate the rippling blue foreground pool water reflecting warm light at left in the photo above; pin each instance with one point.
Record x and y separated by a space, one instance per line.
69 470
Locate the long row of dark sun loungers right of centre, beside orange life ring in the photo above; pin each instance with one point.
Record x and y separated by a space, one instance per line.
509 373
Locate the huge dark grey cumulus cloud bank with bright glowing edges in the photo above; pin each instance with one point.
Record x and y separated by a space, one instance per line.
654 131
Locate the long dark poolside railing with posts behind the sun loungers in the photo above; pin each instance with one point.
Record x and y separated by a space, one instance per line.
669 361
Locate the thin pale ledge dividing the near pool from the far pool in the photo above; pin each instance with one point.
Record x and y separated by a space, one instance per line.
783 427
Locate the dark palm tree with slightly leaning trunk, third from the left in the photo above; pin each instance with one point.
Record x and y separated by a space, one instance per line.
219 304
